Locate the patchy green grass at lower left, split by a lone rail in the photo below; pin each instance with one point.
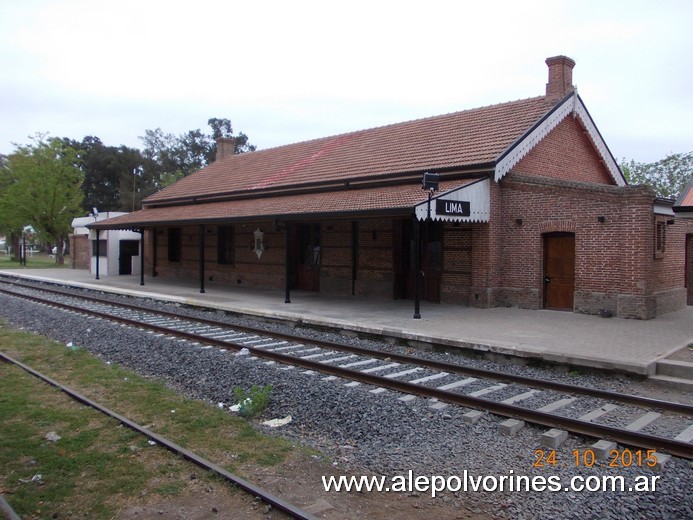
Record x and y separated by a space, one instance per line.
98 465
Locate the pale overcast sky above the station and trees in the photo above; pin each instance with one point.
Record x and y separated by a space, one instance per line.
287 71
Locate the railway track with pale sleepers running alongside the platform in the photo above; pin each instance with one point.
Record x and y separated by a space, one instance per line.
626 419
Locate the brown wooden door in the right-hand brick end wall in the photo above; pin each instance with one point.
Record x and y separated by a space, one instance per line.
559 271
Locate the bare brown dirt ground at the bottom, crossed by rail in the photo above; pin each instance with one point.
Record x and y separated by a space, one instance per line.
299 482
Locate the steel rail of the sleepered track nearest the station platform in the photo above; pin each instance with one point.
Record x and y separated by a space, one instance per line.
633 400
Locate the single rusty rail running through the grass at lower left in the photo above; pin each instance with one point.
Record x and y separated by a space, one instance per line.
246 485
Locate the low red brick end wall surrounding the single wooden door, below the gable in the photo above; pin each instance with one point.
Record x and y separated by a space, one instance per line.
615 270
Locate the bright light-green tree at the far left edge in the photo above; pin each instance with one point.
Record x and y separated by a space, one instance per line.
44 189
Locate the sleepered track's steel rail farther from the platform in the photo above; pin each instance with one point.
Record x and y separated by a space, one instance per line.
625 437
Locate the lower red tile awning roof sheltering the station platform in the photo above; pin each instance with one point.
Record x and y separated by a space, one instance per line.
401 198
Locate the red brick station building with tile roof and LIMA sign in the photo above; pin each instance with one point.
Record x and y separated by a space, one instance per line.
531 210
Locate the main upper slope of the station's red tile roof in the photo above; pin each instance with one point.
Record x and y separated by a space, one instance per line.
458 140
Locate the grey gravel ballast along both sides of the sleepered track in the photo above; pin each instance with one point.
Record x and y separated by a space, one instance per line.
379 433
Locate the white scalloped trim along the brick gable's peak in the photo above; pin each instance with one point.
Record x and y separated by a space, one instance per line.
572 105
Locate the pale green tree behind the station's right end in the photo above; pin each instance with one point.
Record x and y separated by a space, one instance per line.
668 176
